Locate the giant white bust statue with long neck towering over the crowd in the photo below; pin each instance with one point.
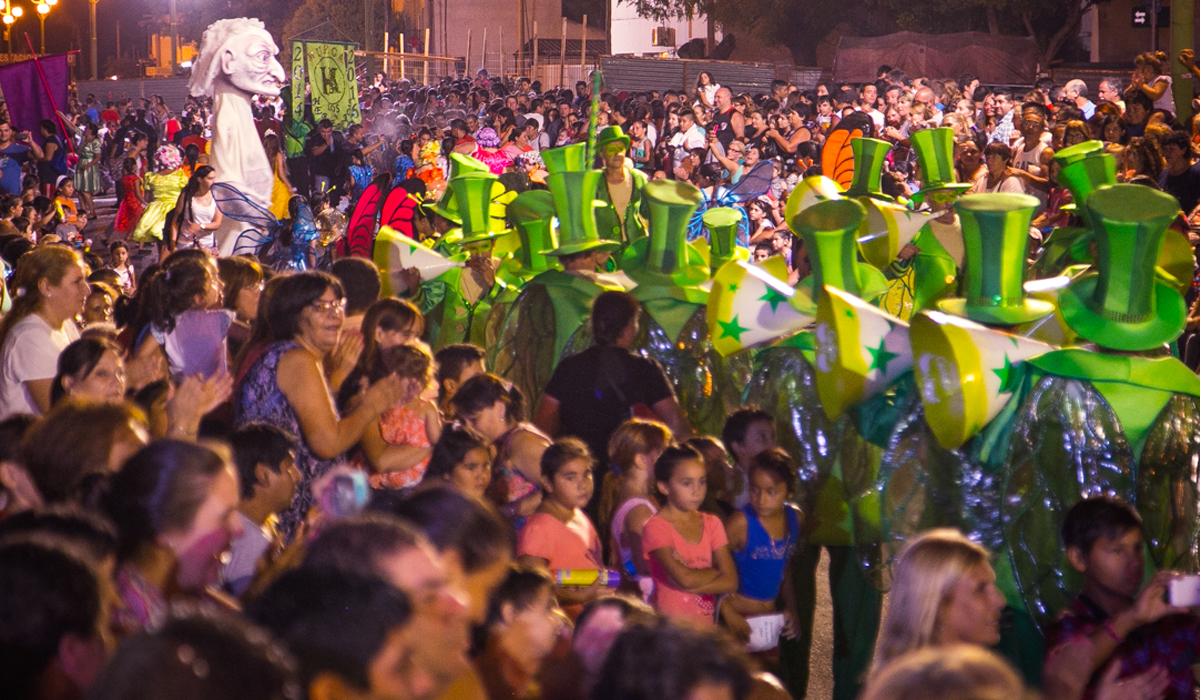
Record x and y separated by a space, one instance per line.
237 62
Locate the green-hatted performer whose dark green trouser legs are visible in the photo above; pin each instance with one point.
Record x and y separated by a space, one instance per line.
832 453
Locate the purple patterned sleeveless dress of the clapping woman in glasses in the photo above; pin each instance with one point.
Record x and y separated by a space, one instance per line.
260 399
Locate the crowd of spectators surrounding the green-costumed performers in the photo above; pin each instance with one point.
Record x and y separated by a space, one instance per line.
221 481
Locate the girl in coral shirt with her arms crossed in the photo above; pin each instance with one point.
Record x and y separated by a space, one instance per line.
687 551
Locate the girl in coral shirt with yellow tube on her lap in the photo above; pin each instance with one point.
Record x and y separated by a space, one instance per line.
560 536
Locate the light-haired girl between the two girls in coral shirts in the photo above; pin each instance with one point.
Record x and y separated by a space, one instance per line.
627 499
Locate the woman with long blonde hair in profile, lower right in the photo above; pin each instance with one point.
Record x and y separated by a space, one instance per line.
944 593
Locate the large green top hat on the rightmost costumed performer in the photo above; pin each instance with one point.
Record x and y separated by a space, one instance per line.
1123 306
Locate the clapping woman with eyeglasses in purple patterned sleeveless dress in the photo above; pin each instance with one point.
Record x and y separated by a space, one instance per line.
287 386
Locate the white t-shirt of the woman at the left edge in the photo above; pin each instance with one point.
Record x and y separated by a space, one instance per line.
31 354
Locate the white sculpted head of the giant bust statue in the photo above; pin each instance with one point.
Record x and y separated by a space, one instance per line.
241 52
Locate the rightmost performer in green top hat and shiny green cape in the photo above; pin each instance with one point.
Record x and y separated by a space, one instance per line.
1119 418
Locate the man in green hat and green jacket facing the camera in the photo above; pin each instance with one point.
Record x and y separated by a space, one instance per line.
621 218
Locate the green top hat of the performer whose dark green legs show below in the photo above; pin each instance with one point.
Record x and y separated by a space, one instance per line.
830 231
